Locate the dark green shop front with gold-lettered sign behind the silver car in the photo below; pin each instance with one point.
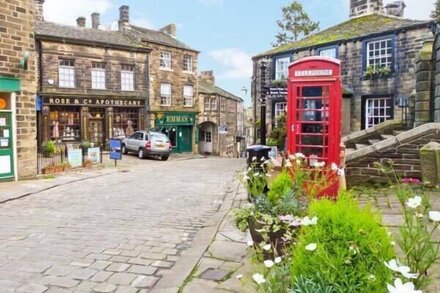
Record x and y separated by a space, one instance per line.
179 126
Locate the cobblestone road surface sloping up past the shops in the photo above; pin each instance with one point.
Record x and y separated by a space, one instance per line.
120 232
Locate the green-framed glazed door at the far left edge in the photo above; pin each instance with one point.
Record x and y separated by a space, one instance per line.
6 146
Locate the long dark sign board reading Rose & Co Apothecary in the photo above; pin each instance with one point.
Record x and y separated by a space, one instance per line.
94 102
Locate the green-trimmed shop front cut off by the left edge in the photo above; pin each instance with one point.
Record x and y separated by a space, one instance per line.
8 155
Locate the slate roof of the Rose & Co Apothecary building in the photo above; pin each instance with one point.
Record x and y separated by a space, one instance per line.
75 33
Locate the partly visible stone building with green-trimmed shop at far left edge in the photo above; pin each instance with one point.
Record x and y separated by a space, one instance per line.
18 155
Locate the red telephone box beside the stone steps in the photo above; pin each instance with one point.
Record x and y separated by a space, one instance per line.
314 104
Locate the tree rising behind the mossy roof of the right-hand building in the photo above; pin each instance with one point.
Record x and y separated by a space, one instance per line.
295 24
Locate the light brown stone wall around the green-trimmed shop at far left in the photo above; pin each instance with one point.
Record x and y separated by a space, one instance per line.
17 37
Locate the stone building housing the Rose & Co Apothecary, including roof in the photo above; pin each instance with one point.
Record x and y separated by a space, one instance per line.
93 83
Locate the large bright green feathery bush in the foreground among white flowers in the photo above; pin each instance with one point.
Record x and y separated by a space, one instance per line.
351 247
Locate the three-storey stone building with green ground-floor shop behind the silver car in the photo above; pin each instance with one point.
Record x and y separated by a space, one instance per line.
173 83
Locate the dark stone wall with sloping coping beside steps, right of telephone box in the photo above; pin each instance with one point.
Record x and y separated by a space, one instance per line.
403 150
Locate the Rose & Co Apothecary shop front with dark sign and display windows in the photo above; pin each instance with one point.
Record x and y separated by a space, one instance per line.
75 120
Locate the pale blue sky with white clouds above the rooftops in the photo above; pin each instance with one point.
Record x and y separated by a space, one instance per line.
226 32
